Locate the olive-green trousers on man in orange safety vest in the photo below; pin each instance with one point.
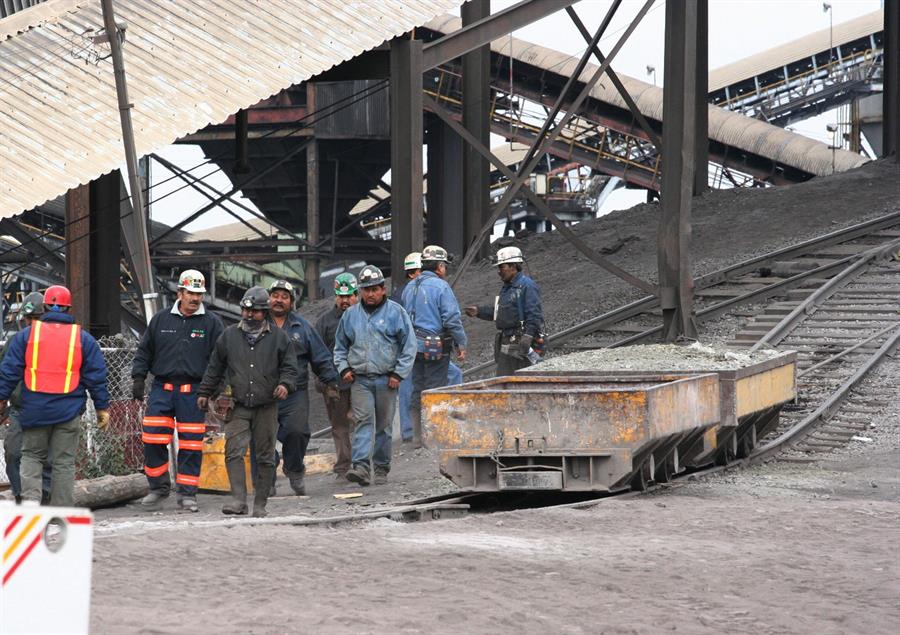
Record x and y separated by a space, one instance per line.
58 444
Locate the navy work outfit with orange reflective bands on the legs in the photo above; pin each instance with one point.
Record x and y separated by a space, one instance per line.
175 349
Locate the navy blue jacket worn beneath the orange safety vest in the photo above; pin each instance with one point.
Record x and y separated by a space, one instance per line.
47 409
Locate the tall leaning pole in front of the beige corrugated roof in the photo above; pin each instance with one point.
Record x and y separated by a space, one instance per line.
143 267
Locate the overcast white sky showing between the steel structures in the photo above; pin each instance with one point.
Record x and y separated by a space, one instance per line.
737 29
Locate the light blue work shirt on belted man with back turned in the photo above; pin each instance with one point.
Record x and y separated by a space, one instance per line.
433 308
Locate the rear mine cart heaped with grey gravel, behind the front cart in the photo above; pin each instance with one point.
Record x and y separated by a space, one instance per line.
751 393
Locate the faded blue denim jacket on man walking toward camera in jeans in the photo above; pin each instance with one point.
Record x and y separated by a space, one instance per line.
378 343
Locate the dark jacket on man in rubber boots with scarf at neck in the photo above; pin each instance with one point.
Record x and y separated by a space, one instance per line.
253 372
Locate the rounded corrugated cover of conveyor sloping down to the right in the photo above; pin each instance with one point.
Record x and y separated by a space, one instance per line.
729 128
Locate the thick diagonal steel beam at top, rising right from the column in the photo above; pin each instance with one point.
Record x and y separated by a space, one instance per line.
488 29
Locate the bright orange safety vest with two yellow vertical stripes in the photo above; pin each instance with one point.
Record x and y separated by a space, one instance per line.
53 358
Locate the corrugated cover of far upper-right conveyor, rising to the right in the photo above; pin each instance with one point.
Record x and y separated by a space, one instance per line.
798 49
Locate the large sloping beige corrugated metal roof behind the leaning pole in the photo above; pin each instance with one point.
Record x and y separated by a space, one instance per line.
189 63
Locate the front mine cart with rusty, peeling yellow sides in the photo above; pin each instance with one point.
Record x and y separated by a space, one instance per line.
562 432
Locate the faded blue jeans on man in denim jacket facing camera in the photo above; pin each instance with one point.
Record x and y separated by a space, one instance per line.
373 406
